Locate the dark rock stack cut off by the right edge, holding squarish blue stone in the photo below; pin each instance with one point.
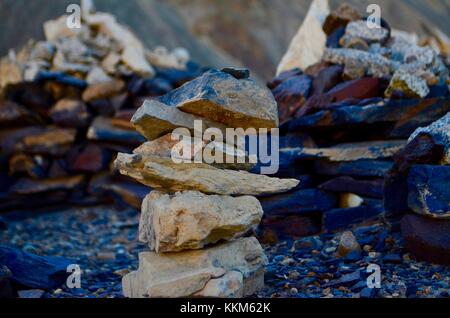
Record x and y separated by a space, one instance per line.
419 186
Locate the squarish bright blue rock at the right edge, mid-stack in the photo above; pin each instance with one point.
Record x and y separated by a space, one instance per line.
429 190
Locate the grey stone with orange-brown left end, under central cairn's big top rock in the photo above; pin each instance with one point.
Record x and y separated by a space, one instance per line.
155 119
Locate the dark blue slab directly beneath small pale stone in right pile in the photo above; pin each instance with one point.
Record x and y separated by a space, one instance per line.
343 218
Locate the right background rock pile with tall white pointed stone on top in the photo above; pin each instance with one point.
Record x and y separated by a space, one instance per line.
349 97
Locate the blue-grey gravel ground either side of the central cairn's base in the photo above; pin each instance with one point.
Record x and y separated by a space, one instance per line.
103 241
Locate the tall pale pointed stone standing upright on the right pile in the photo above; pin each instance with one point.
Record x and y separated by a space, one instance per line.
308 44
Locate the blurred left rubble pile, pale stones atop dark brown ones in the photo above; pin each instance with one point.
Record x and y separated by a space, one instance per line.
65 110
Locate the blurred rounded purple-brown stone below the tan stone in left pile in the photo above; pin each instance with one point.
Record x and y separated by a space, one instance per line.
70 113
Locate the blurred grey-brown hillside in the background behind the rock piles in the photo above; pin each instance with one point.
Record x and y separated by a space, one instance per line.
263 29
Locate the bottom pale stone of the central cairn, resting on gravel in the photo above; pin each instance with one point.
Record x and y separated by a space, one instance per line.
234 269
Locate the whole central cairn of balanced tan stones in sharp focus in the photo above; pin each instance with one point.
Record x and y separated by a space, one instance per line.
198 220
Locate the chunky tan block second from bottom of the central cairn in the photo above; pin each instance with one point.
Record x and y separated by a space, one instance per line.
192 220
